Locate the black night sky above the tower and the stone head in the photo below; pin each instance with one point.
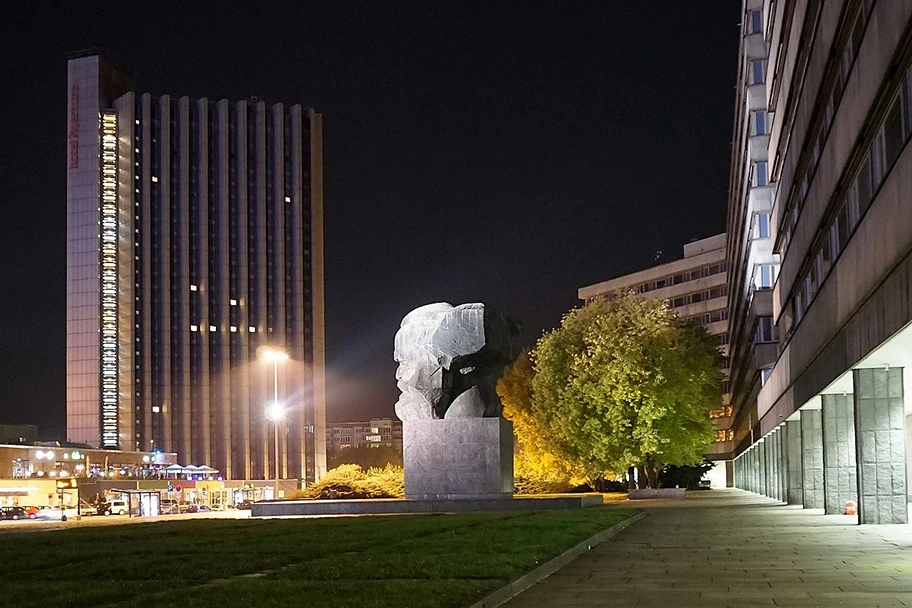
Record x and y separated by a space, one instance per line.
506 154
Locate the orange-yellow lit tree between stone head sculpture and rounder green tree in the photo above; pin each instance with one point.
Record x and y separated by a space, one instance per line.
535 464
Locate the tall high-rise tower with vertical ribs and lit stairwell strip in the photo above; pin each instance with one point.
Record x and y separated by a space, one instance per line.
194 239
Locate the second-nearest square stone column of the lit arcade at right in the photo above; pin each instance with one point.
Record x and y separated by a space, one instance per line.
839 469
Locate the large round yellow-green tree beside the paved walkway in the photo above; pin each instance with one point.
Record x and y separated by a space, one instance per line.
625 382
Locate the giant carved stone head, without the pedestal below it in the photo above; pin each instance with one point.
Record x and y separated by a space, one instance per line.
450 358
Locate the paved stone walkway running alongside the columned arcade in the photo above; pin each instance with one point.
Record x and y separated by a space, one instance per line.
732 548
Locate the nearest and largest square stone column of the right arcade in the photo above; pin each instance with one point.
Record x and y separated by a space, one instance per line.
880 432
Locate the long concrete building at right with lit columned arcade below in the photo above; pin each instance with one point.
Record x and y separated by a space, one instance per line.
825 417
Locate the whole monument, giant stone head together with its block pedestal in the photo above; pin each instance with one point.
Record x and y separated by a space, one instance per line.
456 444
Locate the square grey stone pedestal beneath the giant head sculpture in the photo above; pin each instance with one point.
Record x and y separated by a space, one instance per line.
461 458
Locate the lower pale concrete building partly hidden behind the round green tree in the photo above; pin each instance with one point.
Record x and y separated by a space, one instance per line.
695 287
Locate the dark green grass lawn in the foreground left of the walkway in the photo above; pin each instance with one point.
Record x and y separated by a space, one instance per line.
408 560
